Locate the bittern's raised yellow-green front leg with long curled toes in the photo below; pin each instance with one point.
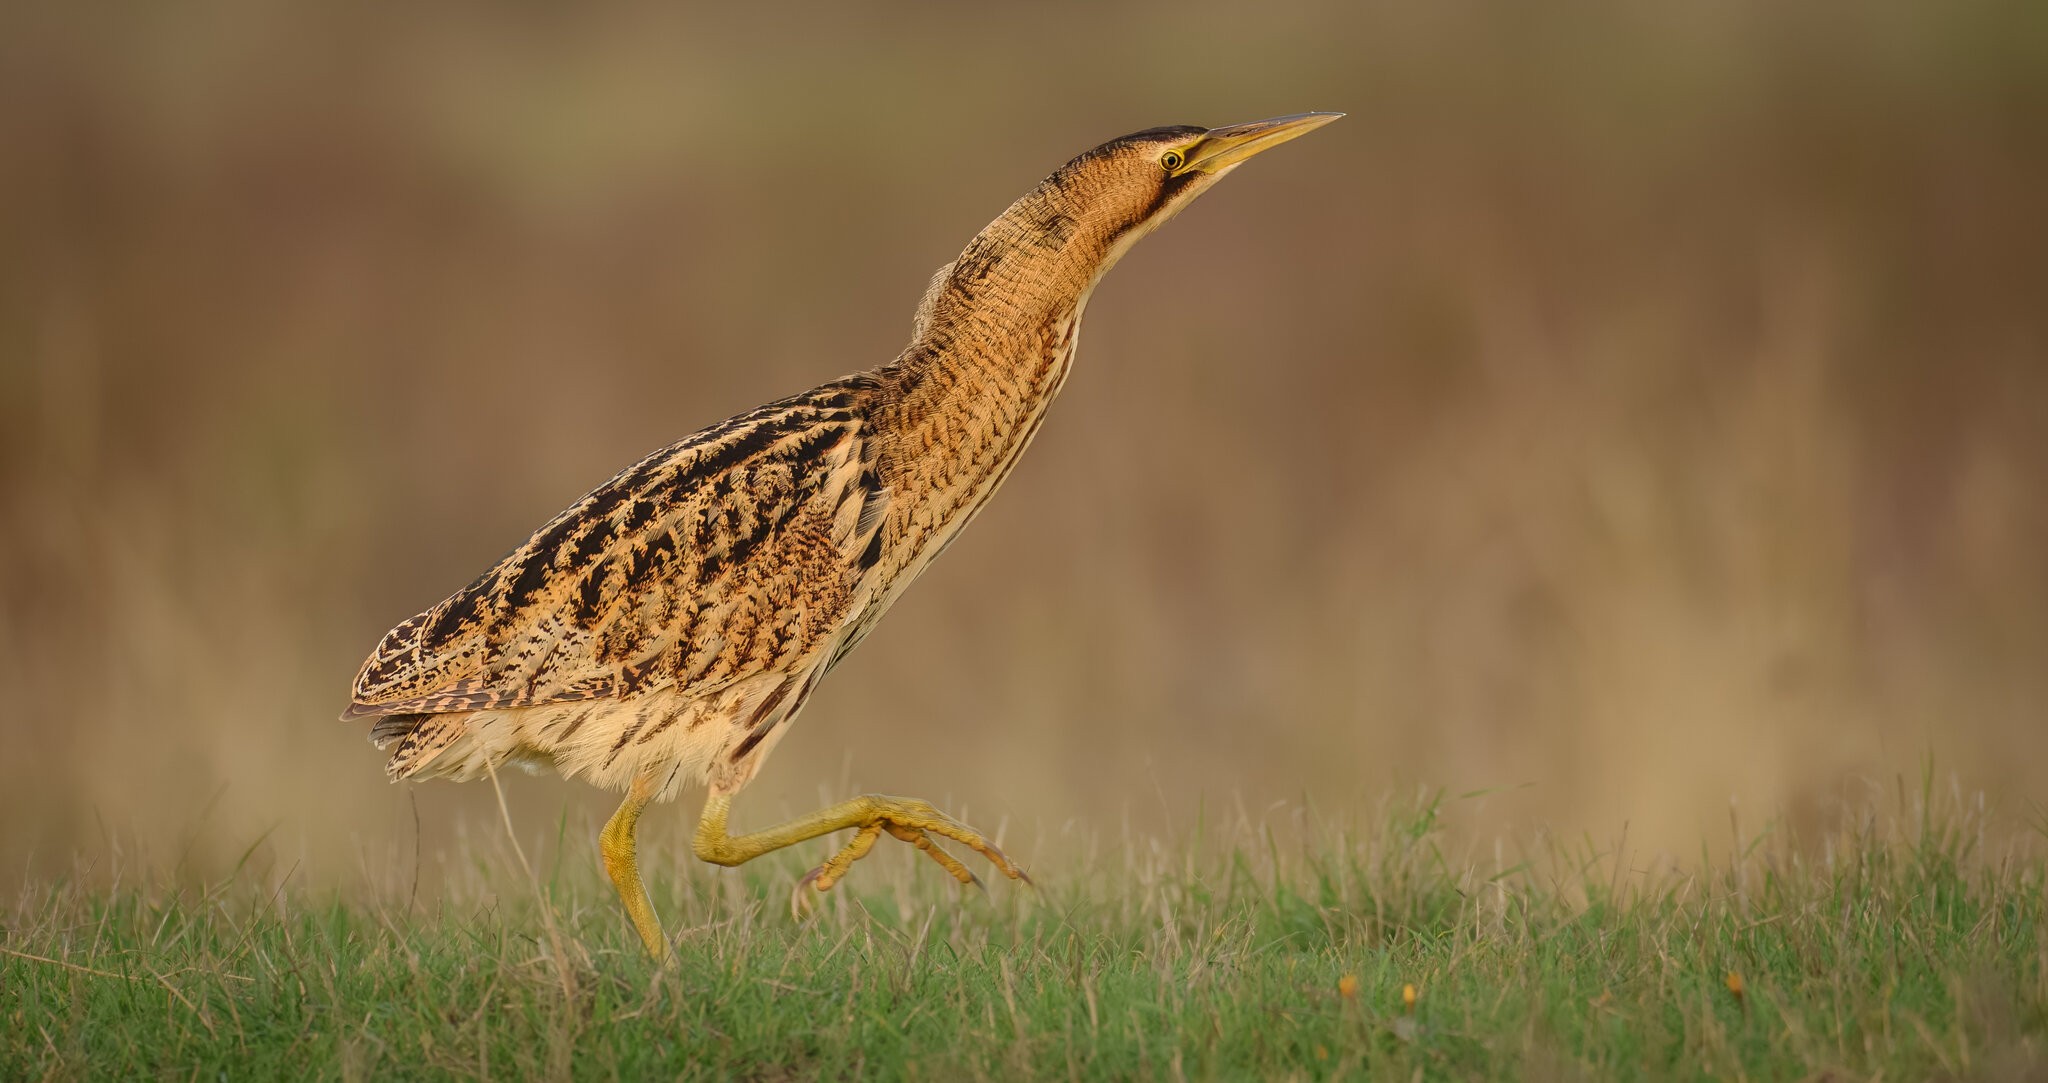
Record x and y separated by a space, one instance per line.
871 816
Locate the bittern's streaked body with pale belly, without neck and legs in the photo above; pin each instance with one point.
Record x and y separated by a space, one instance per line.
706 580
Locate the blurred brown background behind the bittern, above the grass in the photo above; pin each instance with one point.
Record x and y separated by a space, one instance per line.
1631 404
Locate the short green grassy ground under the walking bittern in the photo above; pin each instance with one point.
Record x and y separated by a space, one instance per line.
1906 945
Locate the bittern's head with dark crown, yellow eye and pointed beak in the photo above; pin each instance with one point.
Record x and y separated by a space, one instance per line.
1134 185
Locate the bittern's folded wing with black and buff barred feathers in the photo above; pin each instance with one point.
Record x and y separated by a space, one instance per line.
736 552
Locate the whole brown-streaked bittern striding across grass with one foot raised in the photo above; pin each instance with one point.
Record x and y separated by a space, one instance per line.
669 625
